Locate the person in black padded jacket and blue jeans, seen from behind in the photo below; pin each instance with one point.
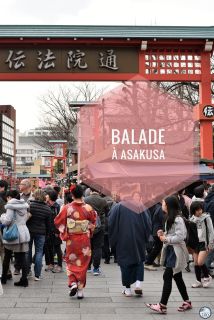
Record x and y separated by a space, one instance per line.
39 227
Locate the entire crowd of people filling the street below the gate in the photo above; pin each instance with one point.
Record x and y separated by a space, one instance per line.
94 226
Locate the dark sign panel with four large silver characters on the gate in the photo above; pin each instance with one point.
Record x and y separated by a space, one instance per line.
68 59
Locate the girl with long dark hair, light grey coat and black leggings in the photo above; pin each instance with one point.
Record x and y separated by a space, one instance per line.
174 256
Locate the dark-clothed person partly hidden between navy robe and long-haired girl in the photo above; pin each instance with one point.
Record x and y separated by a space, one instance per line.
157 218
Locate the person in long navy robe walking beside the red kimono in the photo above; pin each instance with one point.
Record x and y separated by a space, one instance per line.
129 231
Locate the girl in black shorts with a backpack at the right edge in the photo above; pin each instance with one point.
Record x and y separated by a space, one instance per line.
206 243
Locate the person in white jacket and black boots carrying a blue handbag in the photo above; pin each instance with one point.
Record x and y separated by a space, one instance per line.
16 212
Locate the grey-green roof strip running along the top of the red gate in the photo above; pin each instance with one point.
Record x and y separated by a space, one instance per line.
99 31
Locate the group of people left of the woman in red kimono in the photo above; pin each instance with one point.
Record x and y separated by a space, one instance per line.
33 213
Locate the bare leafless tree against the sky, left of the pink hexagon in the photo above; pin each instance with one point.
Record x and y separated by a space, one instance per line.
59 118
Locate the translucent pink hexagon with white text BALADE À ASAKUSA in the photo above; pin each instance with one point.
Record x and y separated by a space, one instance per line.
138 143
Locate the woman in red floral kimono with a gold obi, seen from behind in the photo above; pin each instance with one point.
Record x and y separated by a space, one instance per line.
76 222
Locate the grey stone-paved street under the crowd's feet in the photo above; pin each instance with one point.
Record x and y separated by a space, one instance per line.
49 300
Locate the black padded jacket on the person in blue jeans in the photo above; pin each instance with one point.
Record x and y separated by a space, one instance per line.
40 221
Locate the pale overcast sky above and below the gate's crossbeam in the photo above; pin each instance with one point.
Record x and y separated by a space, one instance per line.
24 96
